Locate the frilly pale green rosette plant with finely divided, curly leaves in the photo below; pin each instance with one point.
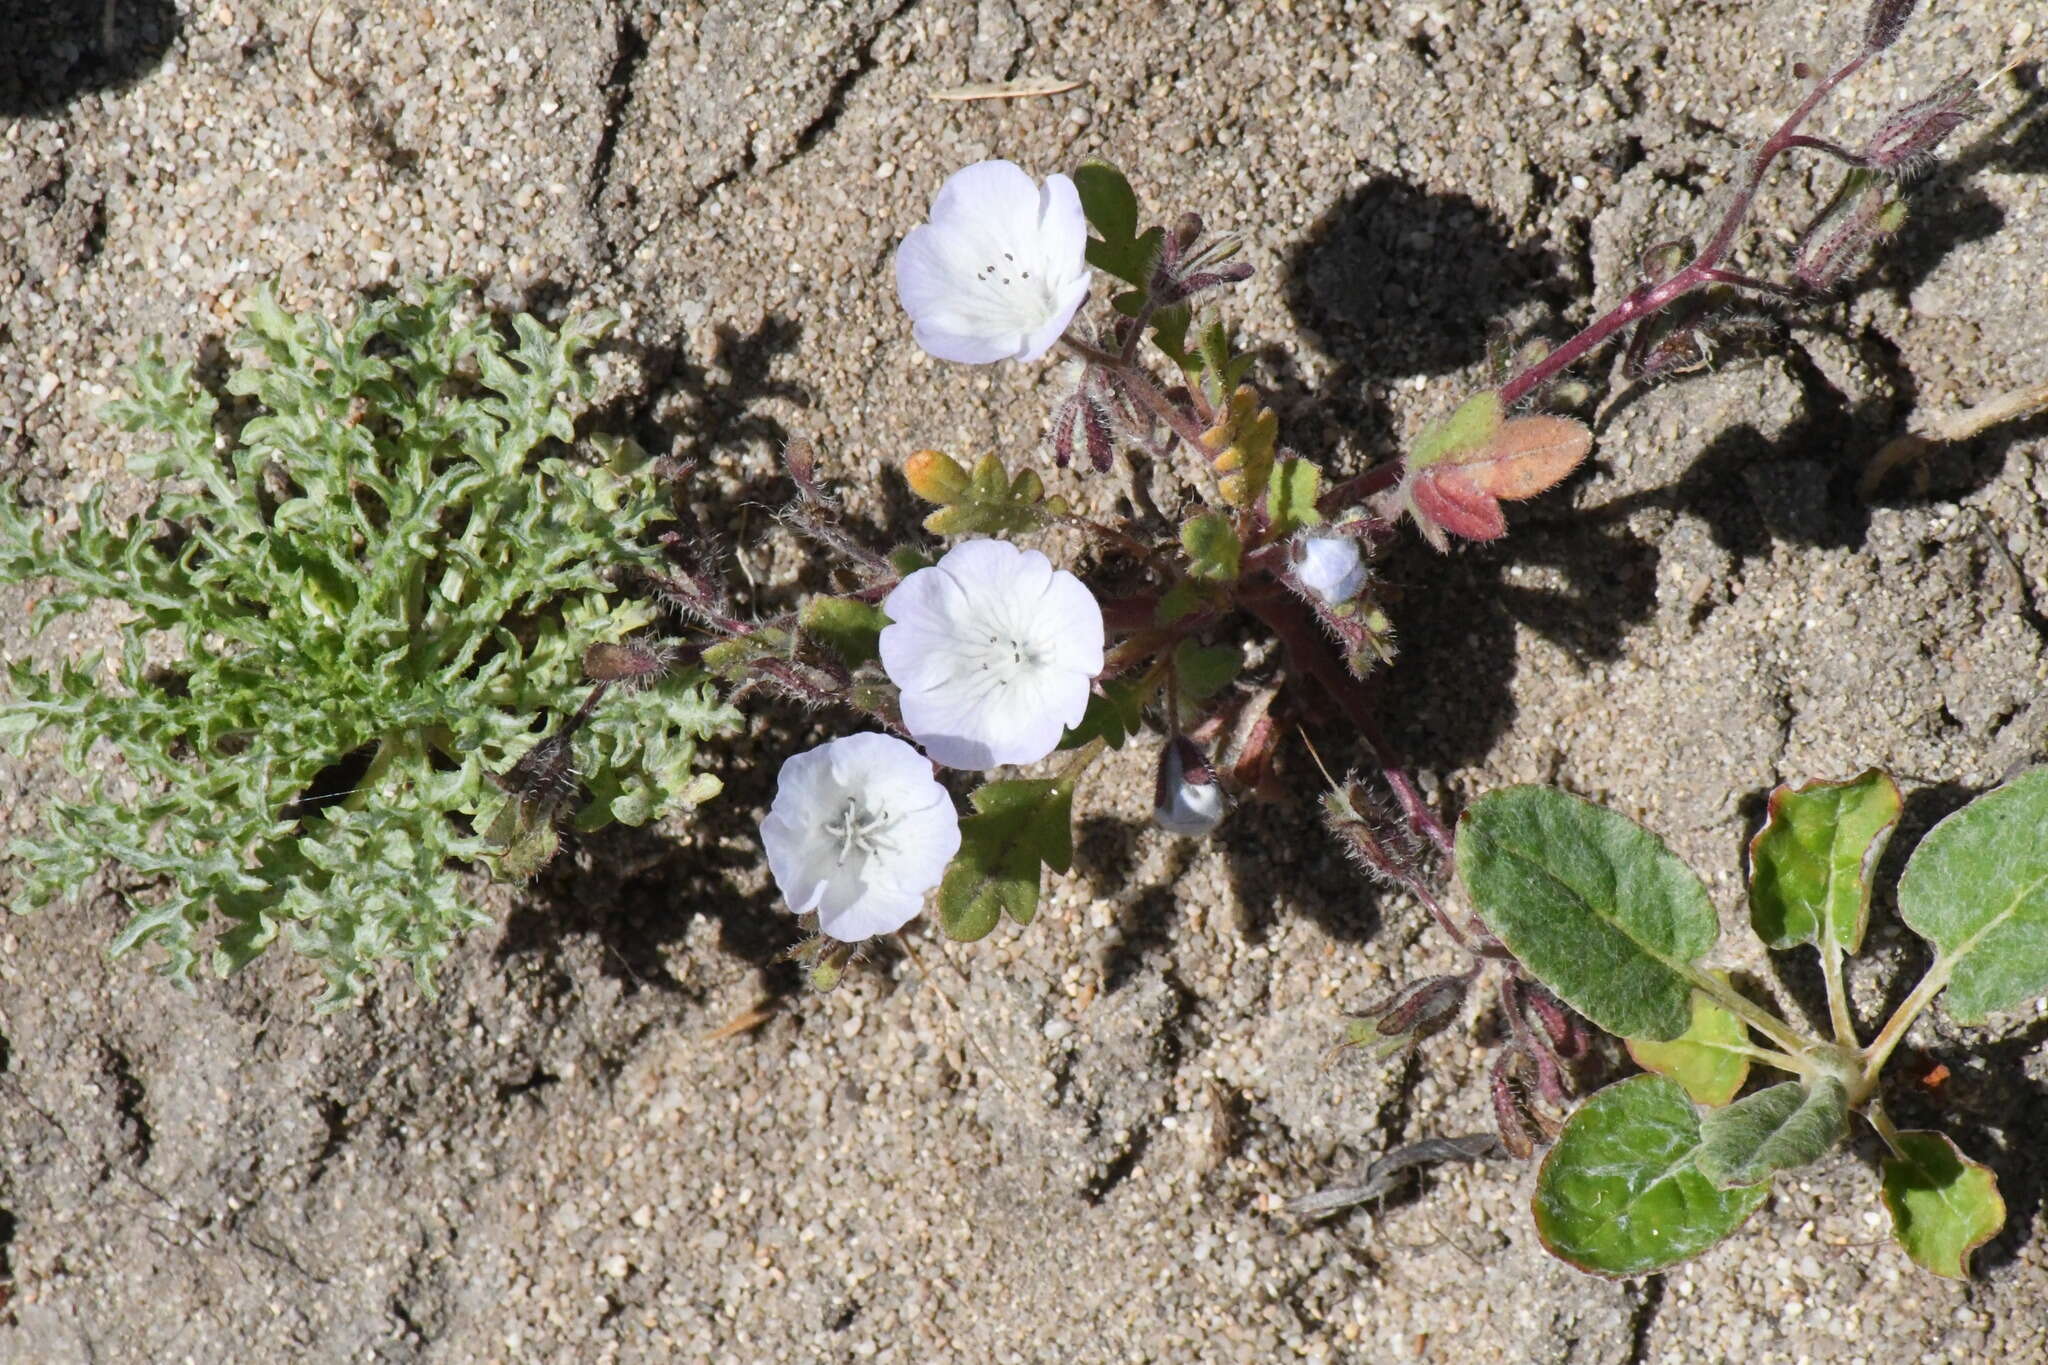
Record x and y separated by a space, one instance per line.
366 586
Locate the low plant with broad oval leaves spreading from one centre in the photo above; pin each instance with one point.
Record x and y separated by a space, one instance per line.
1656 1170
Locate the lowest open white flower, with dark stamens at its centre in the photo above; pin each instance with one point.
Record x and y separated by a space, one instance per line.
859 832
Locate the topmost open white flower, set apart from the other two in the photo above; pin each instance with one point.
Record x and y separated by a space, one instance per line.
1000 269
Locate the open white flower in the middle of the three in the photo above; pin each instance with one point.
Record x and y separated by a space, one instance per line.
994 652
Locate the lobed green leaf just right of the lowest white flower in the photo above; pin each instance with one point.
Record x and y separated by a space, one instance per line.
1017 828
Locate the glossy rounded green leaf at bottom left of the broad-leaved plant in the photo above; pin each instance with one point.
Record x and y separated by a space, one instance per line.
1621 1196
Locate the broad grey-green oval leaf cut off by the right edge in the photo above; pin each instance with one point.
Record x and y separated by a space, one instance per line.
1977 889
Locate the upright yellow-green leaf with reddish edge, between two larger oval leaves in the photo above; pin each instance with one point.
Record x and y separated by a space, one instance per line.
1811 865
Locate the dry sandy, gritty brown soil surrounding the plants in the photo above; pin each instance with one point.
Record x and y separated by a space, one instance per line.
1066 1143
